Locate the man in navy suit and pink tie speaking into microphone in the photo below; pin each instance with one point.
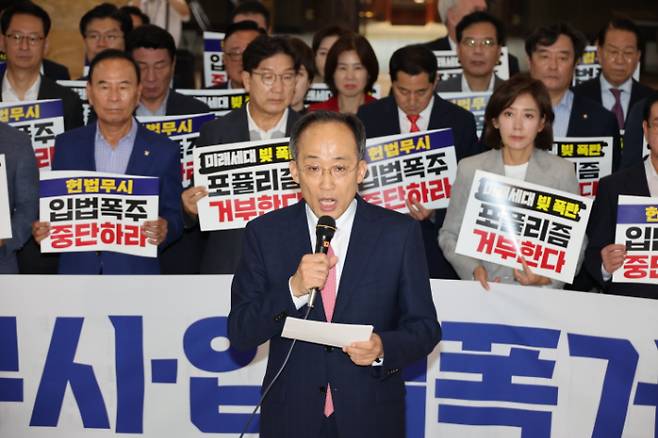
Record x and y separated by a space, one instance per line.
375 274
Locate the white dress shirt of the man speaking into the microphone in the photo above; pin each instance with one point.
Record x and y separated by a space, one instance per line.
339 244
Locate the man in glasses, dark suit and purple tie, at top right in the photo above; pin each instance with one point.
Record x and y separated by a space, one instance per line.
619 52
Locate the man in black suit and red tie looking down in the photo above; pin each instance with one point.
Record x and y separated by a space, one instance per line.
413 75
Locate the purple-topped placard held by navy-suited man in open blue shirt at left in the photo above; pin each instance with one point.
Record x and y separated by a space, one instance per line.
94 211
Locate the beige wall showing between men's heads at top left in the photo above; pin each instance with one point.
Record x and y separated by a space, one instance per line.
65 42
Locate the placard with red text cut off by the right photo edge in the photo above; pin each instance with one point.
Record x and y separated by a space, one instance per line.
637 230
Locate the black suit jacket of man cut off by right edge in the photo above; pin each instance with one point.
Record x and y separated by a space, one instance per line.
602 224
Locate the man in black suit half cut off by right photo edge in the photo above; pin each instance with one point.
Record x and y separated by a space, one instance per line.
603 257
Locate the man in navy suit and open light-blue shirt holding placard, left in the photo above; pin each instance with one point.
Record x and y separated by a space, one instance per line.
116 143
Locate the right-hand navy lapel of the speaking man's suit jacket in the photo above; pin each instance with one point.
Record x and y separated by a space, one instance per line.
364 232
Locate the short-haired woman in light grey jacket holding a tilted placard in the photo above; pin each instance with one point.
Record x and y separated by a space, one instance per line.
518 129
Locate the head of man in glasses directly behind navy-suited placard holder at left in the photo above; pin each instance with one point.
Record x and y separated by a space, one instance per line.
104 27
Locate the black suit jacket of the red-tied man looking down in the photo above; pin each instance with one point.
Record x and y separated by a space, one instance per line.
381 118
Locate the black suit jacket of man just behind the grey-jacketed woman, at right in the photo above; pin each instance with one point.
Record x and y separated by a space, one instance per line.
591 119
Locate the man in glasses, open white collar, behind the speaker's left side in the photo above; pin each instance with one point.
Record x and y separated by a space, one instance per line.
270 69
